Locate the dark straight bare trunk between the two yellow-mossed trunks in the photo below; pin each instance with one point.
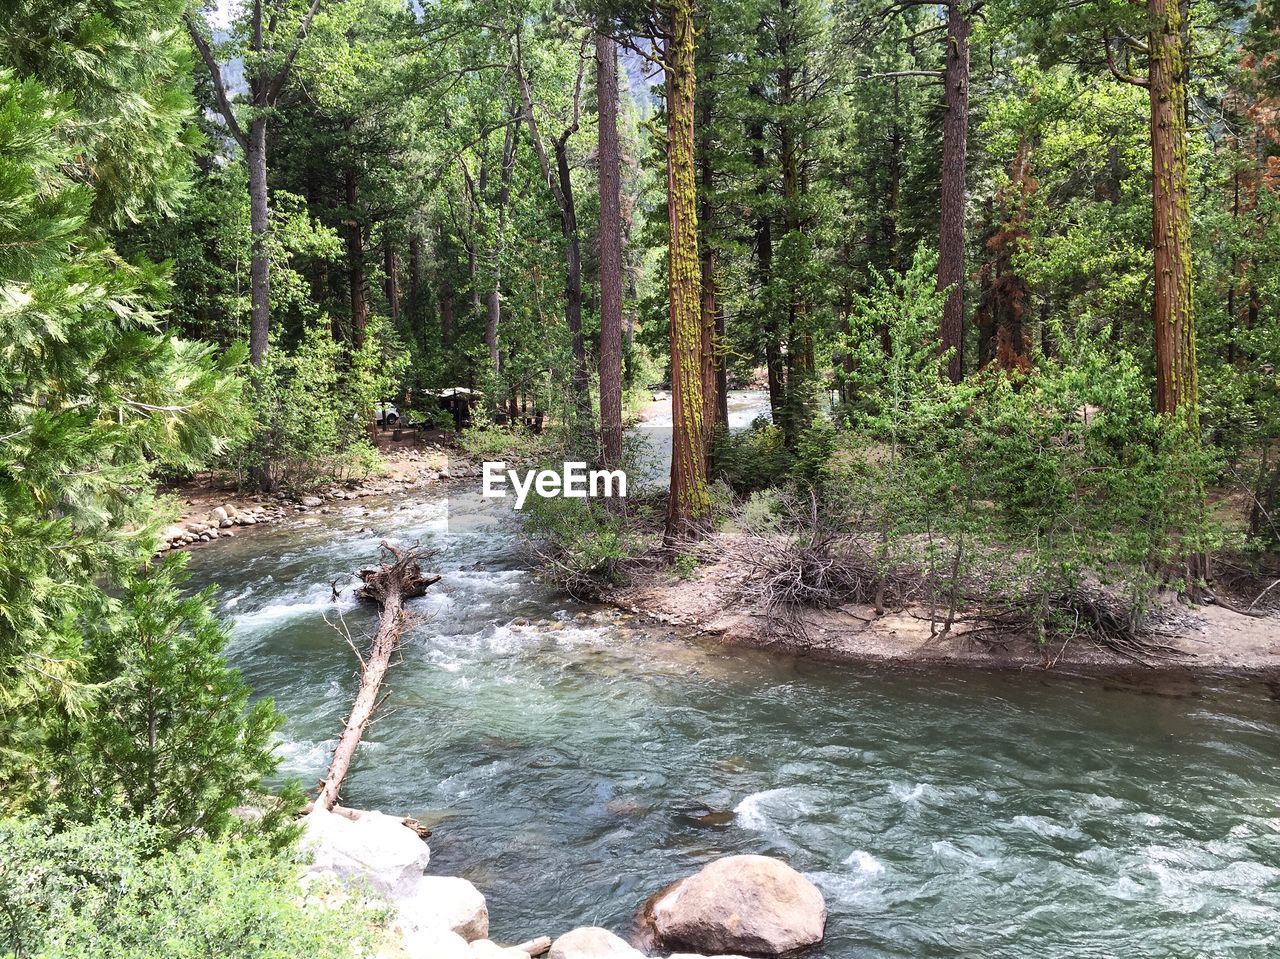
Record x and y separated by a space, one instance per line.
956 148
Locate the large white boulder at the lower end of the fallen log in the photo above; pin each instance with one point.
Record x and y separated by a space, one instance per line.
377 850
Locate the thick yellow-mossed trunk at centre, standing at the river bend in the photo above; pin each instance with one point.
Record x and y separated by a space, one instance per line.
689 503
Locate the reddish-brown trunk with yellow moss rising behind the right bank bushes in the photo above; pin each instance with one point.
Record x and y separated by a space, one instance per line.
1172 227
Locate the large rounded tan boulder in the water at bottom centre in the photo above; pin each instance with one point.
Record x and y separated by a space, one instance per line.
740 905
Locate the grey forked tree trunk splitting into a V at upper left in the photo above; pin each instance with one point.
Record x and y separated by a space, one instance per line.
268 70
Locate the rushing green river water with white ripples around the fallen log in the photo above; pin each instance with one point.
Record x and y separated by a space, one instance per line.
569 764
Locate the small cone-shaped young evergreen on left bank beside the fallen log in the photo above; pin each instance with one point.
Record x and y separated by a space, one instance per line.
172 738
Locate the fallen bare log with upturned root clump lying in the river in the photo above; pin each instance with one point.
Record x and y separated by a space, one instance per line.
388 586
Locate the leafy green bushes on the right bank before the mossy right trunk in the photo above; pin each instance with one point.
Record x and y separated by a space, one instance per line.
1034 485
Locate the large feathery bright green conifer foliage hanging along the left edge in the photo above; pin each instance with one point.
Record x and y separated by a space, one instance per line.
95 403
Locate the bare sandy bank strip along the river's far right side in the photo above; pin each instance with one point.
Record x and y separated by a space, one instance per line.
716 600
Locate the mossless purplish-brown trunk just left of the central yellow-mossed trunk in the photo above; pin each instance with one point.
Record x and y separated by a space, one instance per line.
611 252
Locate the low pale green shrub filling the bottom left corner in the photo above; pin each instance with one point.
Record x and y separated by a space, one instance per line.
115 890
